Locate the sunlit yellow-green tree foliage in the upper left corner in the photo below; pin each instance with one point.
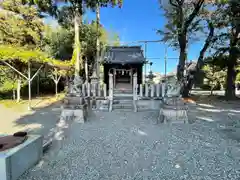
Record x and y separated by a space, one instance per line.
20 25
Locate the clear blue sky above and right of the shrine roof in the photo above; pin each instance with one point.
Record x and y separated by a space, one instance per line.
138 20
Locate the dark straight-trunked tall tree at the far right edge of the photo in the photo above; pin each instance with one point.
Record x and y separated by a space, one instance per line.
228 40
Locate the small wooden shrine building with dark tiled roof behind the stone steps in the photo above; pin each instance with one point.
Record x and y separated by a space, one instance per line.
123 62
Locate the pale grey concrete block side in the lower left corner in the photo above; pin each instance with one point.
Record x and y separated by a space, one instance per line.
14 162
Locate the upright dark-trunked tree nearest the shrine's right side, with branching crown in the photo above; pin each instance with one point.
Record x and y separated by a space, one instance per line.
181 15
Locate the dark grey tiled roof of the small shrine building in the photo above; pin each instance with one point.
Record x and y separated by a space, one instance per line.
123 55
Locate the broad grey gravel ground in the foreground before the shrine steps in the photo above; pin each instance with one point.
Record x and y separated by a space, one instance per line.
127 145
